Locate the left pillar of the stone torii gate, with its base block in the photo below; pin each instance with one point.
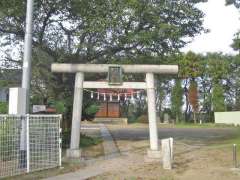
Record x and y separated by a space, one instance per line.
75 151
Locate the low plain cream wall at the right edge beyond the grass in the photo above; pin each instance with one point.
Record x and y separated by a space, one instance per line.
227 117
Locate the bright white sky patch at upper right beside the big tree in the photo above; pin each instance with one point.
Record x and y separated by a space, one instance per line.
223 22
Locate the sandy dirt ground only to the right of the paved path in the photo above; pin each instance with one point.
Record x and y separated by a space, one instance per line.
197 155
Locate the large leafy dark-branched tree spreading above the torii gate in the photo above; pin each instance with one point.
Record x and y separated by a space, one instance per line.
90 31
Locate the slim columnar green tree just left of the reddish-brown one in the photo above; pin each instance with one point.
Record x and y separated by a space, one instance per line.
177 100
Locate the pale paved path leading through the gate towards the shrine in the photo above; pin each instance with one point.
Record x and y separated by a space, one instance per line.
110 151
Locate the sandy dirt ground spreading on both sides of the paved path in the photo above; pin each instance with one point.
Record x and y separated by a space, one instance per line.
199 154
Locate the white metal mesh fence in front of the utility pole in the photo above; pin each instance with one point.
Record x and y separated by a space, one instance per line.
29 143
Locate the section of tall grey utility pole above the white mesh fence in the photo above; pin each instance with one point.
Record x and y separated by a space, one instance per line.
26 69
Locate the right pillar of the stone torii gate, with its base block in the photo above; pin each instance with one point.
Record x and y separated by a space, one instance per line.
154 151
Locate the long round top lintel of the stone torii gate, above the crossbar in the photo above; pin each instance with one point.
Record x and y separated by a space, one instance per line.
103 68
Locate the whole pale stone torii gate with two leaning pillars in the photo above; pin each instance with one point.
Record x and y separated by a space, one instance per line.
80 84
